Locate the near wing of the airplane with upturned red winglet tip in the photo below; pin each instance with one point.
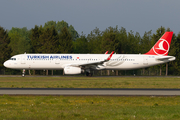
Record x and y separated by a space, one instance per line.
92 63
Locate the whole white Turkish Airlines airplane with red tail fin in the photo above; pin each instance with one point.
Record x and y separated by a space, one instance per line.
86 63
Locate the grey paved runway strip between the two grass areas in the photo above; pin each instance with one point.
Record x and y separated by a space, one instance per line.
89 92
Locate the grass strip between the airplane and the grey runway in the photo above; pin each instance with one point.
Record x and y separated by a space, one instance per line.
90 82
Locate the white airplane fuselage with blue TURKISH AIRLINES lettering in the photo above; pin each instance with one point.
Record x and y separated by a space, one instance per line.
60 61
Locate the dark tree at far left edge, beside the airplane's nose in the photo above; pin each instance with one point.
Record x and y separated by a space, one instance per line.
4 48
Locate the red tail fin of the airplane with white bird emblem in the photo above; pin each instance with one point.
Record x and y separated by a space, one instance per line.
162 45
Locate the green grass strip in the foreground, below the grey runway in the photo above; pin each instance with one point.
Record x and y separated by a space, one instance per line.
88 108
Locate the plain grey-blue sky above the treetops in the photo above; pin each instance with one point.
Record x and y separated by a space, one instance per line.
86 15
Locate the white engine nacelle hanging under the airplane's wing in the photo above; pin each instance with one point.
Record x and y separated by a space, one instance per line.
72 70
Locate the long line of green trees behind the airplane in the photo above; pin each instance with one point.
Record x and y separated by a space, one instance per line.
60 37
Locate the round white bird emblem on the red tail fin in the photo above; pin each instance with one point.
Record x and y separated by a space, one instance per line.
161 47
